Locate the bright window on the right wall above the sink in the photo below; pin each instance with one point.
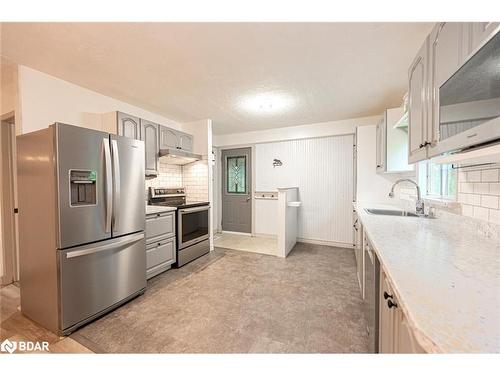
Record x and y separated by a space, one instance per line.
438 180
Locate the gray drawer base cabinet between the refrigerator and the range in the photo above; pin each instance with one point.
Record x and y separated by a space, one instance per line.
160 242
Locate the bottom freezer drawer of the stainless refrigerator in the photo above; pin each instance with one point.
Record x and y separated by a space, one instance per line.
95 277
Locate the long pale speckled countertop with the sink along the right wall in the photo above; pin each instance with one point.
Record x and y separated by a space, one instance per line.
446 277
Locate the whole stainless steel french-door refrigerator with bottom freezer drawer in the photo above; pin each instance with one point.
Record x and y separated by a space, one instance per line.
81 224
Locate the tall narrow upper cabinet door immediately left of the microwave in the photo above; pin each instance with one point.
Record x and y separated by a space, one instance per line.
418 94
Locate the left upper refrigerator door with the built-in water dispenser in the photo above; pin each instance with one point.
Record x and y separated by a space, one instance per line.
80 149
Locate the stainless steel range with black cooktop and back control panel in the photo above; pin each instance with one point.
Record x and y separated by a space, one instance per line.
192 224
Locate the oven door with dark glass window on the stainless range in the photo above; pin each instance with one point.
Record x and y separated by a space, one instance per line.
193 226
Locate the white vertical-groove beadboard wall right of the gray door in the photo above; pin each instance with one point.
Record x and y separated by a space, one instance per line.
322 169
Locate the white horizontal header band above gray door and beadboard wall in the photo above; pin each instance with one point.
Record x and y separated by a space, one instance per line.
322 129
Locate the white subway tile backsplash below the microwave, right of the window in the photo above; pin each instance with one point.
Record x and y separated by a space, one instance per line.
479 193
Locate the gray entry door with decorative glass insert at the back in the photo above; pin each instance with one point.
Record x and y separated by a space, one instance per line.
237 190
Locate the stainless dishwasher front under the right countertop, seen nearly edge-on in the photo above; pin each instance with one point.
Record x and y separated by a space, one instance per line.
371 302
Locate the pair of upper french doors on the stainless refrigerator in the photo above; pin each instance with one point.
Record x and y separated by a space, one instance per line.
101 185
